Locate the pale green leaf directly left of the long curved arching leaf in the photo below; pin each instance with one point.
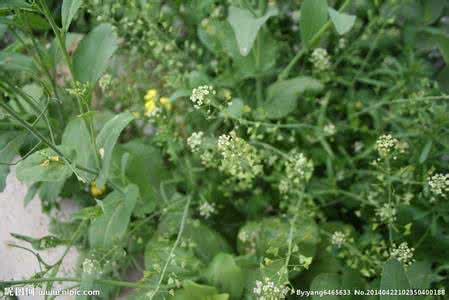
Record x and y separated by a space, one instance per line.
76 135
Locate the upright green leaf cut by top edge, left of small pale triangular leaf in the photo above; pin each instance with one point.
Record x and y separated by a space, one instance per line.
313 17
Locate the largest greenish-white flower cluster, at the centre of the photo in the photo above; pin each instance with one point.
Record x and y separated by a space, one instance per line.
239 159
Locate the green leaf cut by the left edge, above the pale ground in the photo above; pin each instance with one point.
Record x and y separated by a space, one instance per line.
9 147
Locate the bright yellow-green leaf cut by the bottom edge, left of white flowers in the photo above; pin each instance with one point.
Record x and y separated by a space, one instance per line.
195 291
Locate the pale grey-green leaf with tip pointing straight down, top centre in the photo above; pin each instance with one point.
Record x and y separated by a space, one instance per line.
246 26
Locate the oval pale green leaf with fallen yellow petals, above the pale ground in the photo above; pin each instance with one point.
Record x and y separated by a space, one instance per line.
45 165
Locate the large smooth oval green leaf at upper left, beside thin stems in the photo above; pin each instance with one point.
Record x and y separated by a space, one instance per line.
91 57
